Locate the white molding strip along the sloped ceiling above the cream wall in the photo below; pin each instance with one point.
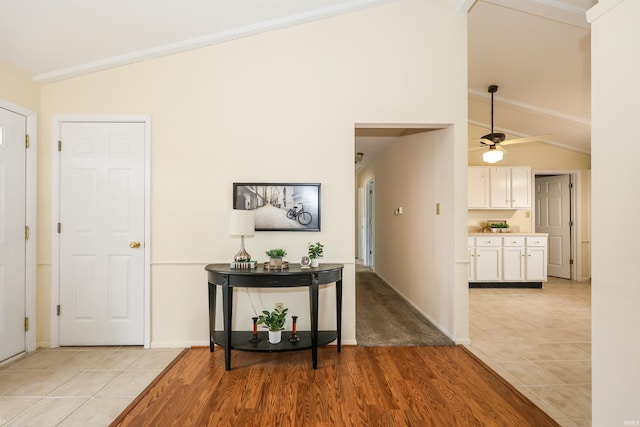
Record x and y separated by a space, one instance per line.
207 40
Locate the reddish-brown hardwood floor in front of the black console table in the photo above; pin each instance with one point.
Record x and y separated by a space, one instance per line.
361 386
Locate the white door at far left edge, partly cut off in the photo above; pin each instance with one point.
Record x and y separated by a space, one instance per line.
12 233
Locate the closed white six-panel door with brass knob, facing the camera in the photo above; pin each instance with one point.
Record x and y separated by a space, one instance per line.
102 189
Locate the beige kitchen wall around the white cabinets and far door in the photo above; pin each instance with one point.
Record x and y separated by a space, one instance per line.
540 157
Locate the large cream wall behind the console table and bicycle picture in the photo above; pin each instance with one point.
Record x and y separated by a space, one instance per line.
277 107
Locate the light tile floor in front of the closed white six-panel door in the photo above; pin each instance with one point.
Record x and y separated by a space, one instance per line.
72 386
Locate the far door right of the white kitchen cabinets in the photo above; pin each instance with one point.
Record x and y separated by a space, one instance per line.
553 216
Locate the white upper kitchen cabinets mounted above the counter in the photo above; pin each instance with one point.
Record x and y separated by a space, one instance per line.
499 187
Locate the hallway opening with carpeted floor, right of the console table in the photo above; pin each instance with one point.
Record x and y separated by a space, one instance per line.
398 166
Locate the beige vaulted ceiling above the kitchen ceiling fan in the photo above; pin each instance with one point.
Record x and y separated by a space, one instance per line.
538 53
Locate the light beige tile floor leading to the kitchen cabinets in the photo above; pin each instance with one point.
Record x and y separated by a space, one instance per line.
540 341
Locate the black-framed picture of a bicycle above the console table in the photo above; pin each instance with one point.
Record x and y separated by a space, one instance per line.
280 206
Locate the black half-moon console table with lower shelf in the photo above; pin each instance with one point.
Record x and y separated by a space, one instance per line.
294 276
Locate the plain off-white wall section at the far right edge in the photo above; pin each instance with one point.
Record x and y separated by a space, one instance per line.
615 177
